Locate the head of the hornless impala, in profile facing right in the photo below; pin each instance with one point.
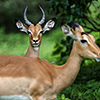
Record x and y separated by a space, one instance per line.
84 43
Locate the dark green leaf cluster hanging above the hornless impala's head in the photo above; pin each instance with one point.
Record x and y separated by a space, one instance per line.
70 10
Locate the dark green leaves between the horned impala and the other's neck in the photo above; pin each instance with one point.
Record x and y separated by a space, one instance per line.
63 47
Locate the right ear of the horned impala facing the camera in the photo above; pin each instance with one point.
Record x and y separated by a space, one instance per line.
49 25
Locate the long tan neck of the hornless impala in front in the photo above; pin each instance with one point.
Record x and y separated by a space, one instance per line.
68 72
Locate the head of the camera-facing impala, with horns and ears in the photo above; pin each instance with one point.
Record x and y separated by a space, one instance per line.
35 31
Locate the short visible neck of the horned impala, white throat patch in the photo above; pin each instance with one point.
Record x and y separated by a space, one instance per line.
32 52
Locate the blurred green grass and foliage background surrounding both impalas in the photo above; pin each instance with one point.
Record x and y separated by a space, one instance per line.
55 46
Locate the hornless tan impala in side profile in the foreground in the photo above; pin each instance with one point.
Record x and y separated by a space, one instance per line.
40 80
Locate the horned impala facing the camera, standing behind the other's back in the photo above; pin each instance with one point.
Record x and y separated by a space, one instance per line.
35 32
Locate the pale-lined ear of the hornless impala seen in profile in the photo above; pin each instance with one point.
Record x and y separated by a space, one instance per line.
68 31
